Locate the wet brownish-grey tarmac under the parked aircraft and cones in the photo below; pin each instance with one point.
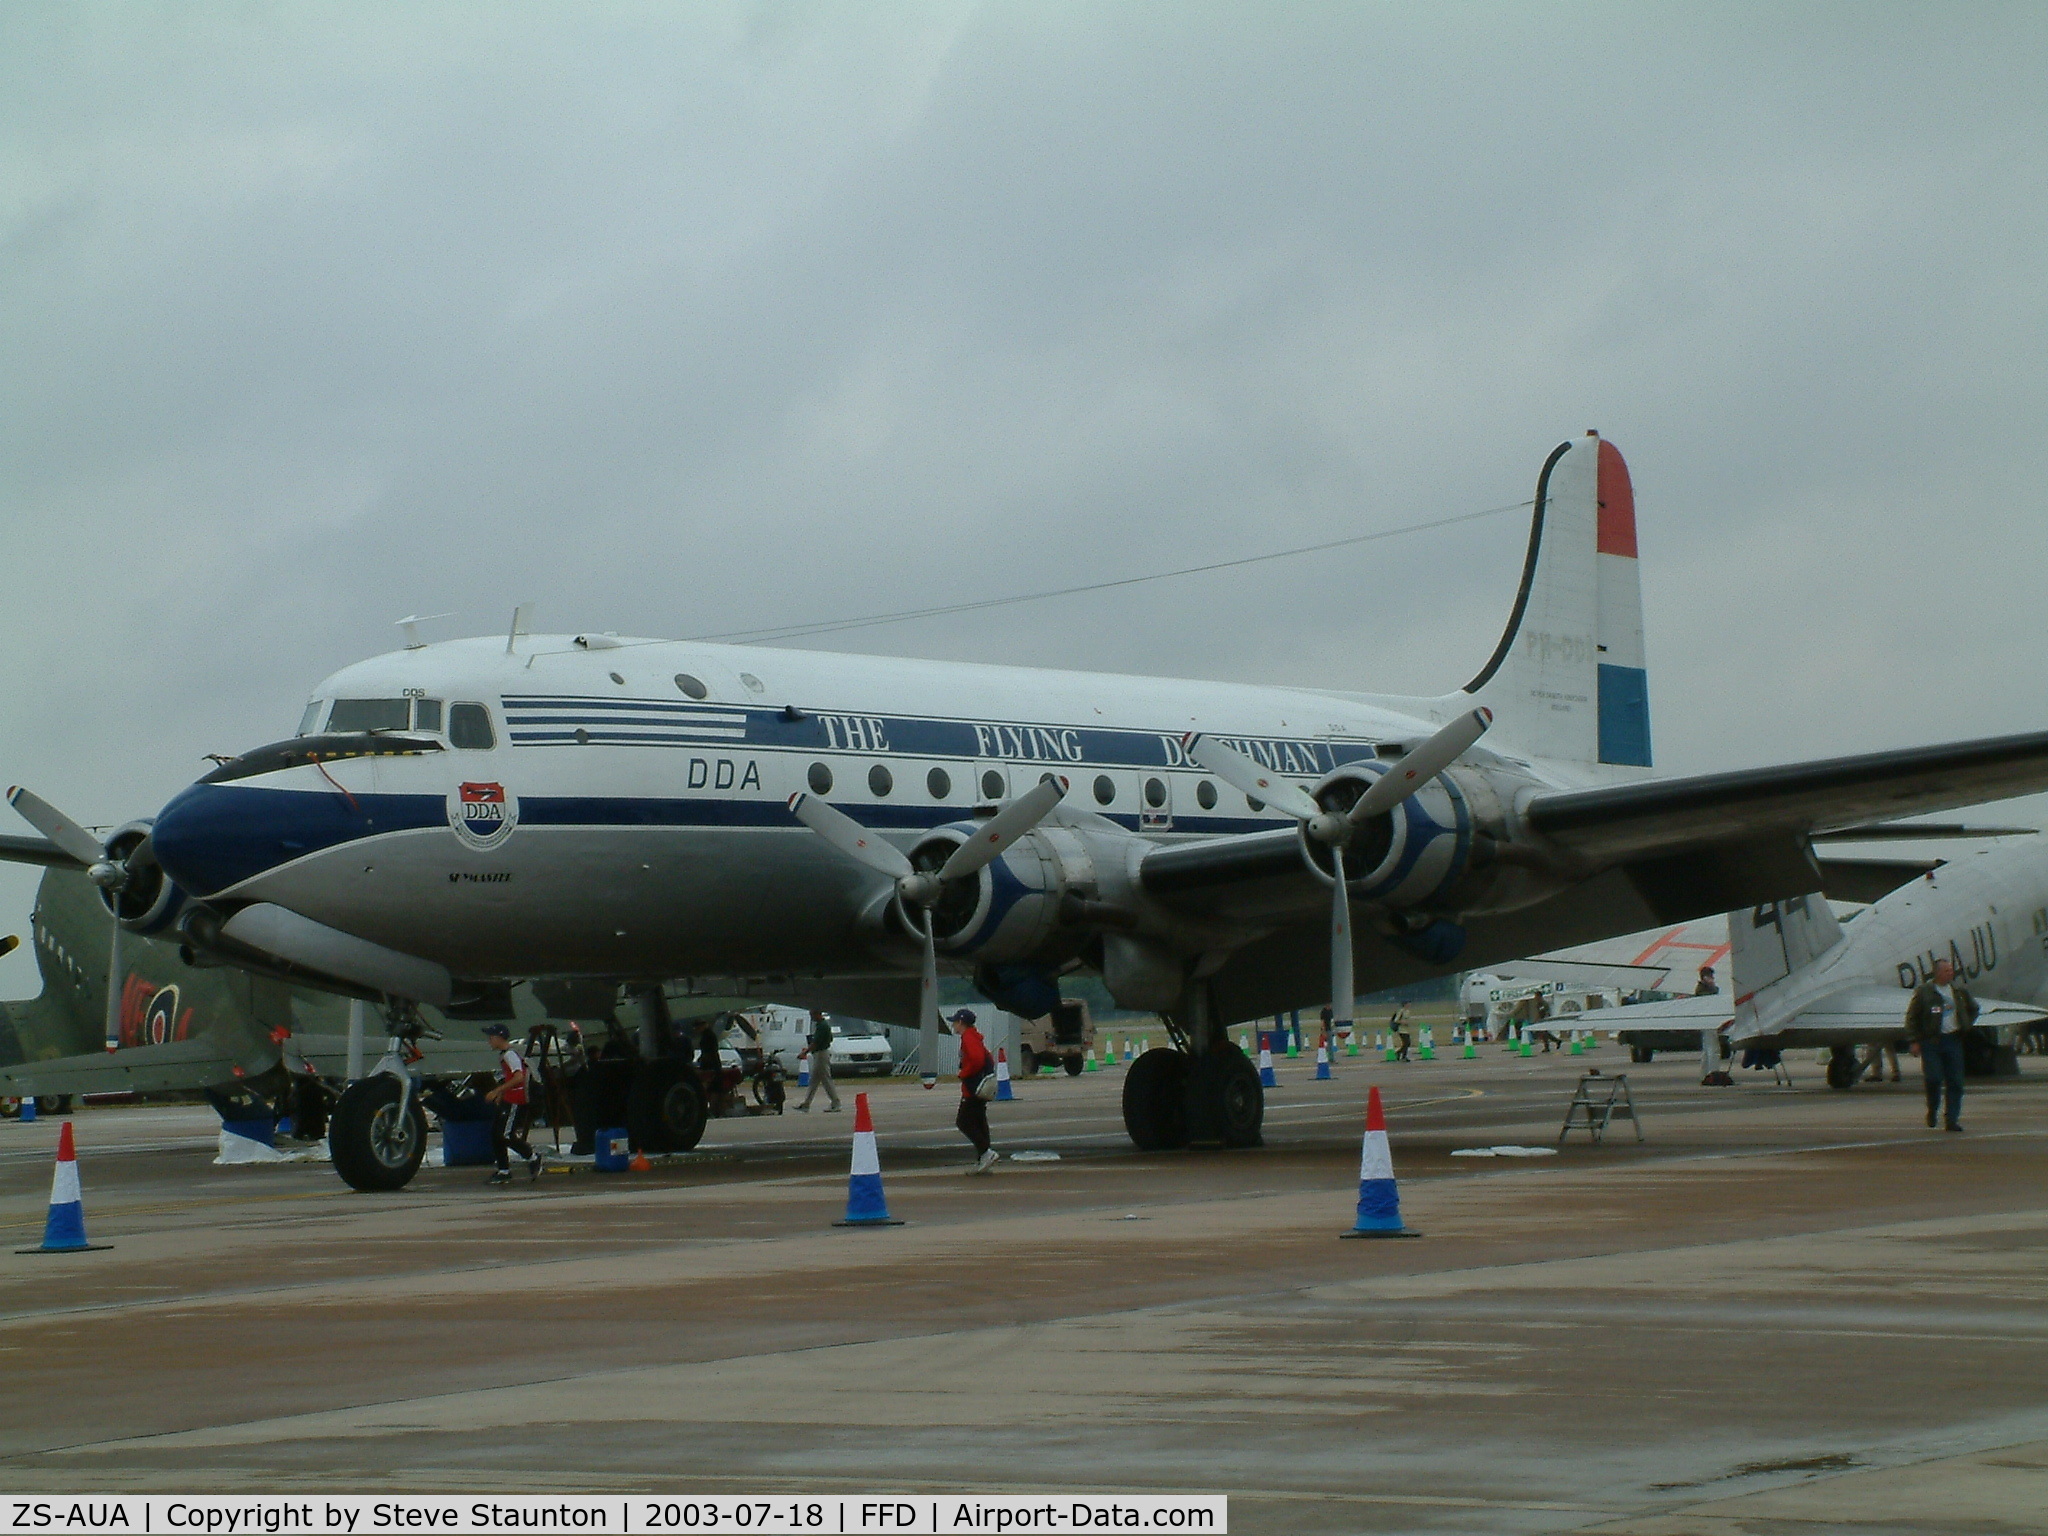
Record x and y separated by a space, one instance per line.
1783 1312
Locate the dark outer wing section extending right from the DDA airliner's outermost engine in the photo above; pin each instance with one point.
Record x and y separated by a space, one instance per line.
1662 816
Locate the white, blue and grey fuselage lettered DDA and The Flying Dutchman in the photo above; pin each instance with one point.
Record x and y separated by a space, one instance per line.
632 816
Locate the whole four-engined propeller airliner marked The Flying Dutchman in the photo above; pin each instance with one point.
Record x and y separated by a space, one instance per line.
837 828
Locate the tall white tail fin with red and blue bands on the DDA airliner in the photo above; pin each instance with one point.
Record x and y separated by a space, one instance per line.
1568 679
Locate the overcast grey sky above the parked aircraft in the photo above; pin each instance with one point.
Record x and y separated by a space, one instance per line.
695 318
